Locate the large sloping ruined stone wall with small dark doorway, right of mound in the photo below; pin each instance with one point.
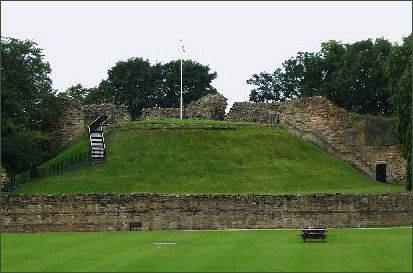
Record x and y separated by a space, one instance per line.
360 140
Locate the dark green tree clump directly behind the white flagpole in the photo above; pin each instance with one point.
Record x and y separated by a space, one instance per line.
137 84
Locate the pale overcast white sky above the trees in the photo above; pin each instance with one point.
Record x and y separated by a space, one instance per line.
82 40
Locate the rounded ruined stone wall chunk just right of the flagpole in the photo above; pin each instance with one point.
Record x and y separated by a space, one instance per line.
211 106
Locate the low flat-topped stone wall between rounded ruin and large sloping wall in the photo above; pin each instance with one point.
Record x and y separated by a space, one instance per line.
253 112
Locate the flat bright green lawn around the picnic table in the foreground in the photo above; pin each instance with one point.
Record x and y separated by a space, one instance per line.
265 250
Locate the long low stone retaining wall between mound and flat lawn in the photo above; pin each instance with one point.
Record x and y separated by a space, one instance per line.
100 212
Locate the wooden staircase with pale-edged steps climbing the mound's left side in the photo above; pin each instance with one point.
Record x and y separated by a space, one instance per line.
97 140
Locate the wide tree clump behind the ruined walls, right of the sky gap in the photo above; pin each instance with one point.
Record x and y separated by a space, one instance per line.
350 75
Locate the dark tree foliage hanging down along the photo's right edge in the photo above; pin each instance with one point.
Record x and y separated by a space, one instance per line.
399 69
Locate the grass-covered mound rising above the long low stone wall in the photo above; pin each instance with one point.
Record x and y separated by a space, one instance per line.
253 158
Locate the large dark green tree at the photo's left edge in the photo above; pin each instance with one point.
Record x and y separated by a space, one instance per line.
27 105
